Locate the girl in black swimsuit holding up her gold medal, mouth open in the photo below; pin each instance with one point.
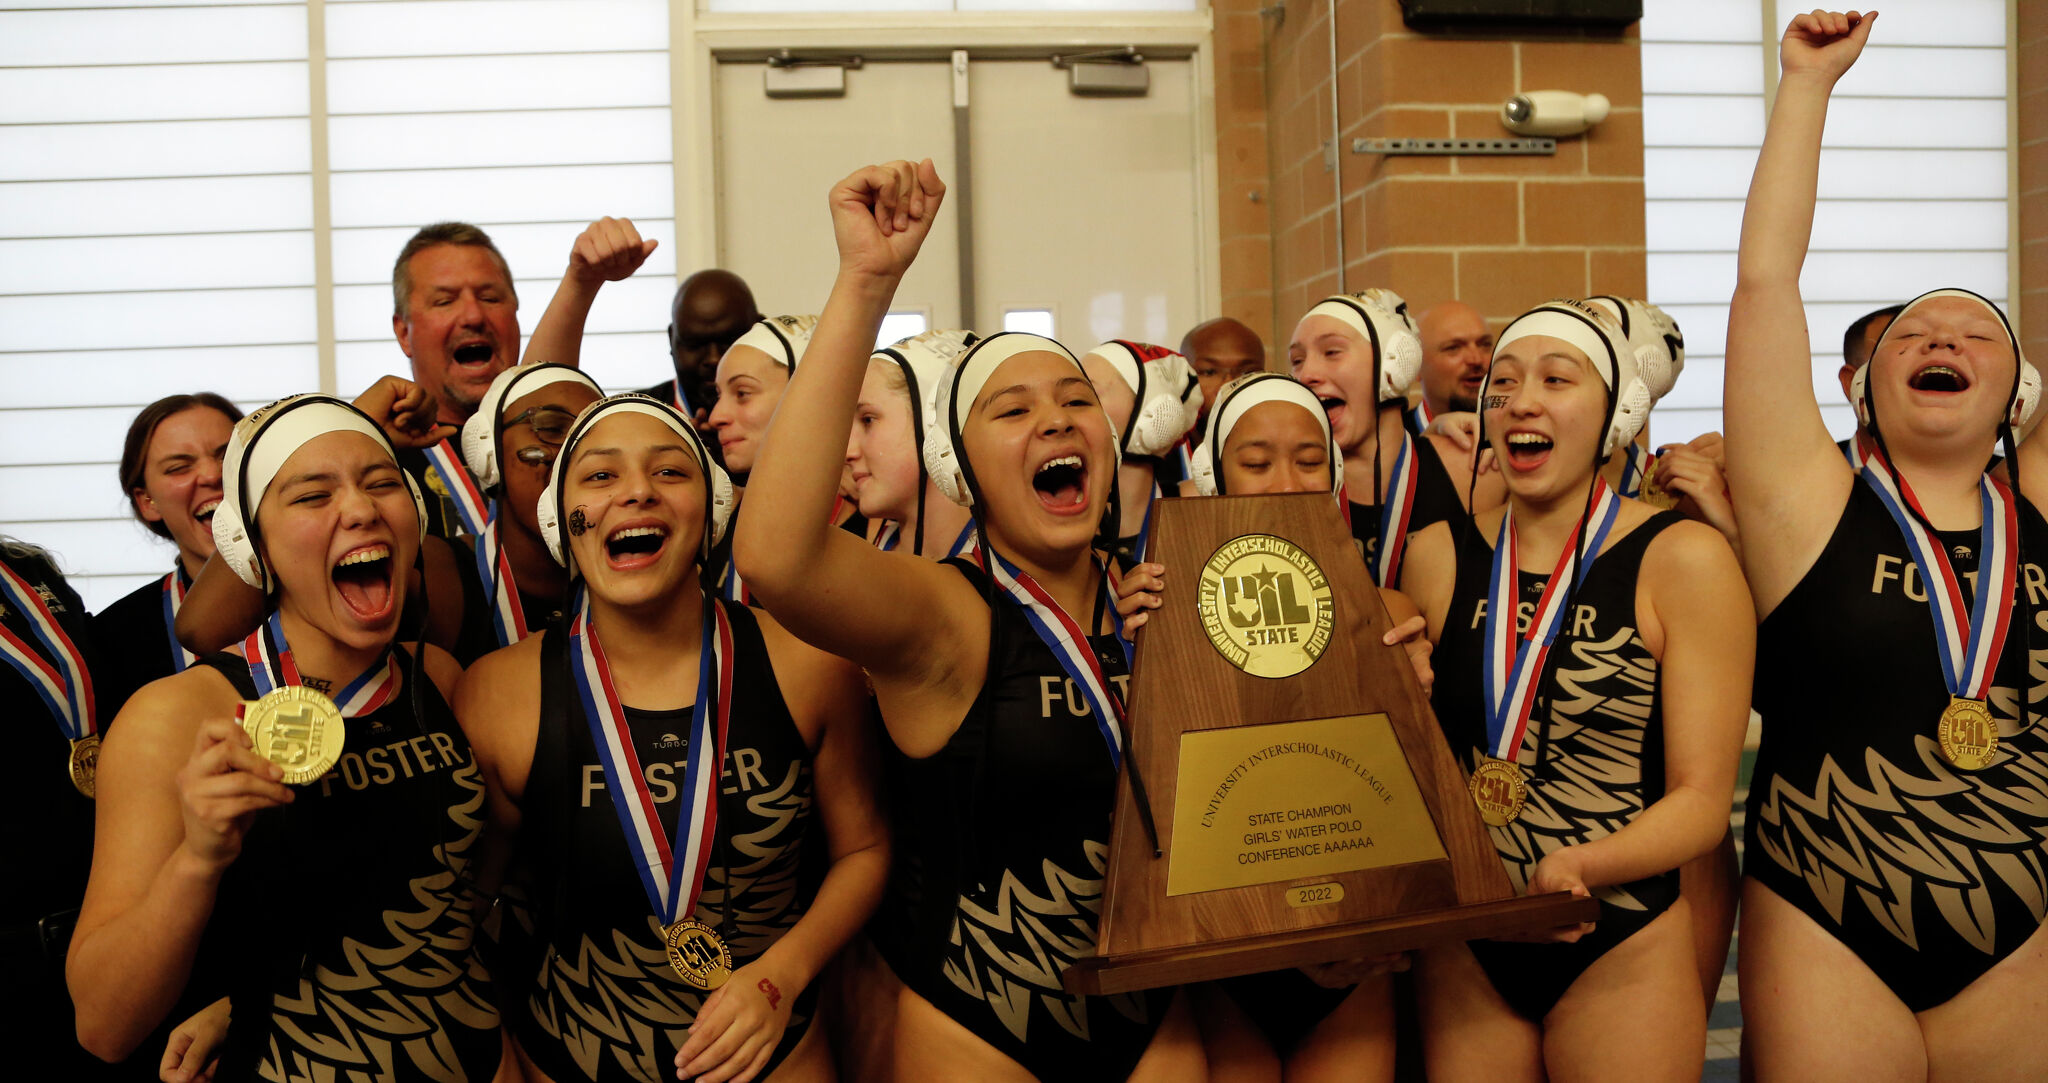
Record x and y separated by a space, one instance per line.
337 912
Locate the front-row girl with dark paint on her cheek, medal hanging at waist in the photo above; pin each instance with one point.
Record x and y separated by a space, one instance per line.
671 779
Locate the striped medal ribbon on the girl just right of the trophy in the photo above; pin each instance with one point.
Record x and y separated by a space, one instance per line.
1514 662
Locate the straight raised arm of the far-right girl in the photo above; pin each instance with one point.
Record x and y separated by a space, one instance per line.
1787 478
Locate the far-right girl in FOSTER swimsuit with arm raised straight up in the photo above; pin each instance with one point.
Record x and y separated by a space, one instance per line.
1893 902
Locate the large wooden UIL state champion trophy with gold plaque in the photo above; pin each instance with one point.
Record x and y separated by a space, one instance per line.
1308 808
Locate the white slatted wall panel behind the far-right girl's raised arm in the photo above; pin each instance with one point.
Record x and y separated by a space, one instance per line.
1912 181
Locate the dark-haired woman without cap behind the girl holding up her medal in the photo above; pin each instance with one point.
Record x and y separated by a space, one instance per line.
171 476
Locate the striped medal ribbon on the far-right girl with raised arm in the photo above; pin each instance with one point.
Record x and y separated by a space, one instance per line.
1971 642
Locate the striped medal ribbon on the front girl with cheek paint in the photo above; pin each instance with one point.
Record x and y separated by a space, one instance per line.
673 873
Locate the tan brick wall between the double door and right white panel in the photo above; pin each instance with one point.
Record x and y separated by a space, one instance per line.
1496 232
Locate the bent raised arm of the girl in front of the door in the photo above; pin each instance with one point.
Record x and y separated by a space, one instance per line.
890 613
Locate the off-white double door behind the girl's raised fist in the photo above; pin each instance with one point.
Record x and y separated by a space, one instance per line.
1082 212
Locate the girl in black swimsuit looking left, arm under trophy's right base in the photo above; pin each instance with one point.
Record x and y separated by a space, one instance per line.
1592 660
